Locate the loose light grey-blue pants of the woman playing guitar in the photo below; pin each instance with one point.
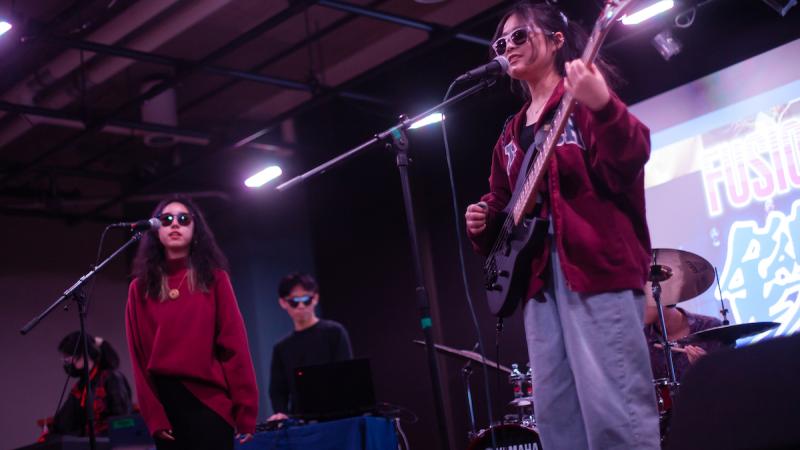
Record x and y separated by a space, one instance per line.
592 381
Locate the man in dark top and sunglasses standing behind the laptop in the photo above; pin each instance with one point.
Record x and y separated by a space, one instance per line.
314 341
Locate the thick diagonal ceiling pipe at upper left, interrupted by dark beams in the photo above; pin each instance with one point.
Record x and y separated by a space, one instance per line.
189 15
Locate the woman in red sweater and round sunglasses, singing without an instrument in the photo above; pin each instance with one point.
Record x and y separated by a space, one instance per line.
194 376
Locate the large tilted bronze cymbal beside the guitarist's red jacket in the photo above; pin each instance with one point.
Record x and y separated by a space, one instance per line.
681 274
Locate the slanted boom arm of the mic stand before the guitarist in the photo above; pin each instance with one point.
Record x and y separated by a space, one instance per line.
384 135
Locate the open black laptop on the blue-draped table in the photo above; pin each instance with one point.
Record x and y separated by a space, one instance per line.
334 390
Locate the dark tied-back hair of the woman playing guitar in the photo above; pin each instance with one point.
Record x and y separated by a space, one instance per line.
551 20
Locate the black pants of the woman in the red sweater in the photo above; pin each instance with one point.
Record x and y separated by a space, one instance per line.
194 425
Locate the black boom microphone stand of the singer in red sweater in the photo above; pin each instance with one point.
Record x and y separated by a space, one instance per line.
75 292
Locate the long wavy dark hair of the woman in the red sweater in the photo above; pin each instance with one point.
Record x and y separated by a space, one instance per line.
204 253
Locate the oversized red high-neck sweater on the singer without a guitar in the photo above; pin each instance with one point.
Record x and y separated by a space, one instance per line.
198 337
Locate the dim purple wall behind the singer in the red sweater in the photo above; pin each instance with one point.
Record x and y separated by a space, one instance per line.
264 237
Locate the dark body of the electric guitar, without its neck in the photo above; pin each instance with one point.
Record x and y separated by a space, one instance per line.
508 268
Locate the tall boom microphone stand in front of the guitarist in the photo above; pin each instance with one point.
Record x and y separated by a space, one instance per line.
395 138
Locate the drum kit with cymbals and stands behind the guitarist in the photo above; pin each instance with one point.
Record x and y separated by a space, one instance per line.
675 276
